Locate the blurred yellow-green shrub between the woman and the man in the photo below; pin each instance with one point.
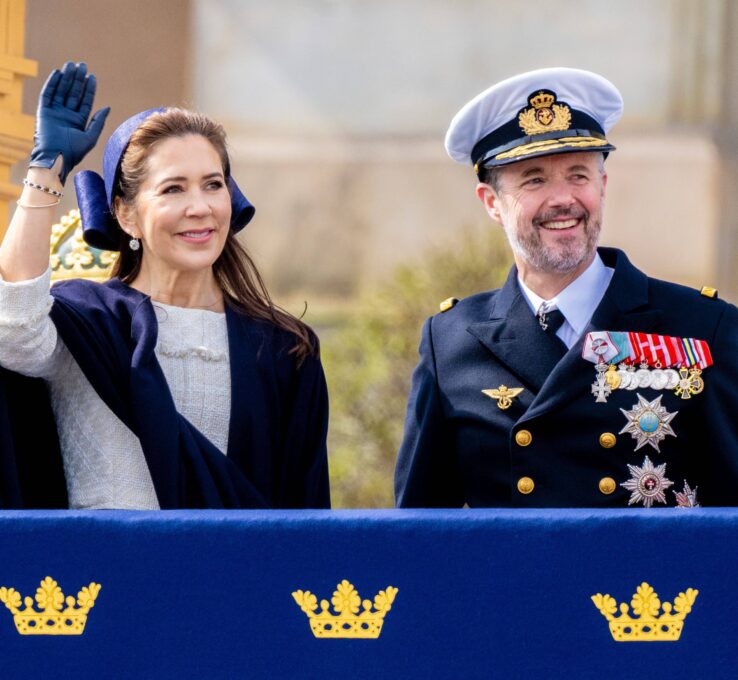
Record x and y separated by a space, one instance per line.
370 359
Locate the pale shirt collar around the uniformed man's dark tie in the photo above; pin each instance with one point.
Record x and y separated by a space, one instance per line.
580 298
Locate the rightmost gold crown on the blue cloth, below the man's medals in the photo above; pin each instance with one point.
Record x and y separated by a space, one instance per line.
646 626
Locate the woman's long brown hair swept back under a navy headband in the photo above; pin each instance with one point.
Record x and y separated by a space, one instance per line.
235 271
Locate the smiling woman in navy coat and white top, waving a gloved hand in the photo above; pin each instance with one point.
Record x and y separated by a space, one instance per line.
177 383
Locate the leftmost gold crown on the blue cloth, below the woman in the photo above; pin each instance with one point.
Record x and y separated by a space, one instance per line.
52 618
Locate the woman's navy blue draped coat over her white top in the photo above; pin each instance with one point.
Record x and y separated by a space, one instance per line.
279 411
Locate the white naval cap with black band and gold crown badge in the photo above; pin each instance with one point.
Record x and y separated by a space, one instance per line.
551 110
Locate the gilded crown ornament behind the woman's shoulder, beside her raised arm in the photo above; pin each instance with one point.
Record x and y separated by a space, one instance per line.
71 258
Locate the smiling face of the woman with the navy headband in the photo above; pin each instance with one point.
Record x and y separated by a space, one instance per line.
182 211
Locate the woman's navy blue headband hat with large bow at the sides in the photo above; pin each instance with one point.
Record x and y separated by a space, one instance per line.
95 193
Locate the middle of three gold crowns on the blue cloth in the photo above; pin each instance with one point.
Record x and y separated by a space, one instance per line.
347 622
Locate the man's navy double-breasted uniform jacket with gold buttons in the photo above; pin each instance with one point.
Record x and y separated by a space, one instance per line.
460 447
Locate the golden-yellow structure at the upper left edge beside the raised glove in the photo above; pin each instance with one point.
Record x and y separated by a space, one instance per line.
16 128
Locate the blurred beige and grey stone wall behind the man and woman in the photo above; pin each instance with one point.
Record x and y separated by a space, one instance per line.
337 109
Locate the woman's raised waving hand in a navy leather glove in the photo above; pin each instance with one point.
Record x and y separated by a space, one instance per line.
61 119
